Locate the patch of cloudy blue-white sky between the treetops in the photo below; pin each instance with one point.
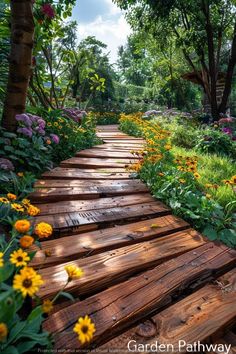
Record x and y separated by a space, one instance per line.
104 20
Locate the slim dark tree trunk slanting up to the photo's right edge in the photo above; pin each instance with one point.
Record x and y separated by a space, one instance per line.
229 75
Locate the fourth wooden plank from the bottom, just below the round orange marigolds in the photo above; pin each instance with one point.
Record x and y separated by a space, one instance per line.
105 239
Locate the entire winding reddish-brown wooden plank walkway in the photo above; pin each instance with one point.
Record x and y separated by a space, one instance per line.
148 276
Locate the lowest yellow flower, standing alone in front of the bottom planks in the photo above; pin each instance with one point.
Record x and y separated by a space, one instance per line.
85 329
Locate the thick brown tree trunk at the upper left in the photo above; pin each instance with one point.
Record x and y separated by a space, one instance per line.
22 36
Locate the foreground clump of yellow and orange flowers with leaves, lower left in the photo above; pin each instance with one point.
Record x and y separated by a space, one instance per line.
22 312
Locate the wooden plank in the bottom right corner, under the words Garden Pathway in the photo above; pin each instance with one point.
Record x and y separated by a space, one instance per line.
198 317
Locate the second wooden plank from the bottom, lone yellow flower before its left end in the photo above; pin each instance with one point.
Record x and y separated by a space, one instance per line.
116 309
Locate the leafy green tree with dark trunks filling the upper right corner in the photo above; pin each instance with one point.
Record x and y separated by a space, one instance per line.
205 30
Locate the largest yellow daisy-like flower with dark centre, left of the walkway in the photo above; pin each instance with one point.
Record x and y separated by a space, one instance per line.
27 281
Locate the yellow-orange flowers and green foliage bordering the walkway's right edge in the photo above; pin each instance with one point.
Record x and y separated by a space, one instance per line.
175 180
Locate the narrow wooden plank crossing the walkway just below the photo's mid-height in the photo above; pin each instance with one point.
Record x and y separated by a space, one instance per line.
52 194
